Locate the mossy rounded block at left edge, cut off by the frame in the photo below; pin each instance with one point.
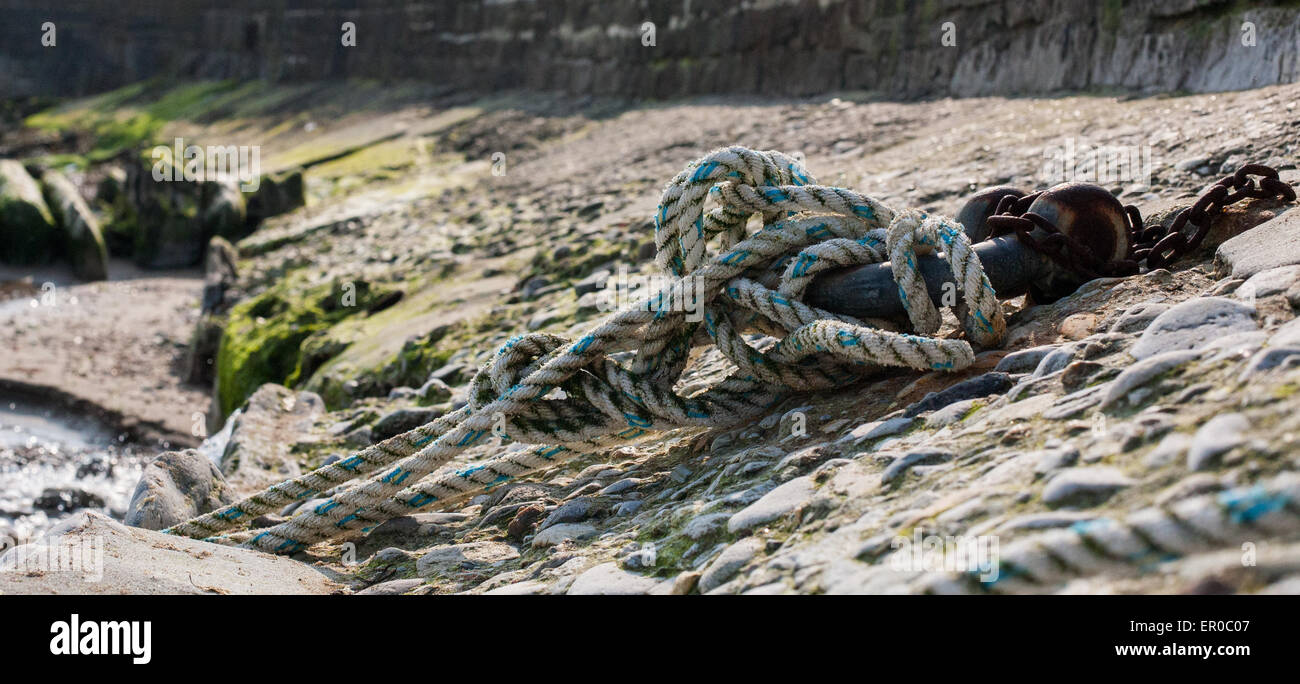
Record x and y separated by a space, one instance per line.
28 233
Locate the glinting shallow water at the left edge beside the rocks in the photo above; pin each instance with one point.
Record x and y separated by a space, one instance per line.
55 464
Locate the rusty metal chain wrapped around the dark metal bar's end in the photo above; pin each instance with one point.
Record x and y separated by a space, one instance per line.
1152 248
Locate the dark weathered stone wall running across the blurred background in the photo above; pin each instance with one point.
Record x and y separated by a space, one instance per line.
772 47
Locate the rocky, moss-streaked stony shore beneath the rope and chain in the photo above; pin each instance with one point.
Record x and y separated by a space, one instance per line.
172 347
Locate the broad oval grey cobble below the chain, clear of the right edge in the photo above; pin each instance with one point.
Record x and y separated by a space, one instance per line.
1194 324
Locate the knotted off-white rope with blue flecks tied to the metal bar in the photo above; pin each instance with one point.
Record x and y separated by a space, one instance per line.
807 230
